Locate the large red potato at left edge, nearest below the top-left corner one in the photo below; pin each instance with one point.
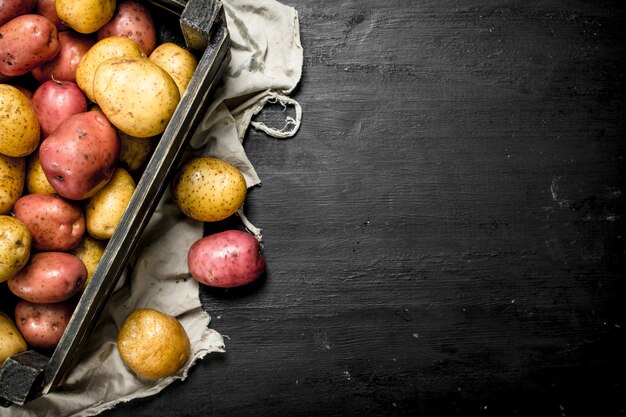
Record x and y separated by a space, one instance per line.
26 42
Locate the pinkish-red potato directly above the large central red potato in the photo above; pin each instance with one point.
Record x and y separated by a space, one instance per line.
55 101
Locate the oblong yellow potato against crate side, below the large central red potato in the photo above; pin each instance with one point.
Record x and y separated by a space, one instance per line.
106 208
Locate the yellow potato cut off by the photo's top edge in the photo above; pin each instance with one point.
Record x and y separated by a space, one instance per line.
85 16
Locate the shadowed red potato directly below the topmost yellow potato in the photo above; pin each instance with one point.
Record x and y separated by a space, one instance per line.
72 47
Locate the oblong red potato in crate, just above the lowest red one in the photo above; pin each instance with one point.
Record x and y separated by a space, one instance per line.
49 277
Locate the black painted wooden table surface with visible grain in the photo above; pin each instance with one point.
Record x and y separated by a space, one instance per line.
445 234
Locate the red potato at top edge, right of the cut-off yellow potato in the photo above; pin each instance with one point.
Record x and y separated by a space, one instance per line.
133 20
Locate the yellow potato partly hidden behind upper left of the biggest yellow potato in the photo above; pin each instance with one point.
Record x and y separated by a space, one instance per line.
107 48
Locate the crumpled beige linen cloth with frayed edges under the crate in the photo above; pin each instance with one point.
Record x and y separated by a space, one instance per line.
265 66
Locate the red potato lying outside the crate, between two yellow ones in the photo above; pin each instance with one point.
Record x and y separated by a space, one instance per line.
226 259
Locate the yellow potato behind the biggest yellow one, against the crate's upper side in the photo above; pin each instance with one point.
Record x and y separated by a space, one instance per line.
177 61
